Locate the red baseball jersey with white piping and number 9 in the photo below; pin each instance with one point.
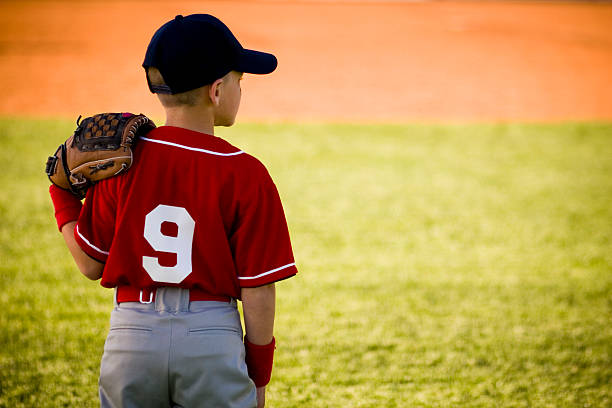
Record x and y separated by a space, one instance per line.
194 212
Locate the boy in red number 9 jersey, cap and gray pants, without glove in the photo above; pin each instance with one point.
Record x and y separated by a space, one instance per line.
195 224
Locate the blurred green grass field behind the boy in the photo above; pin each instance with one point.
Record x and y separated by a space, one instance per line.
440 266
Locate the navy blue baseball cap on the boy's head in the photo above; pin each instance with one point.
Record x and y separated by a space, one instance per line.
198 49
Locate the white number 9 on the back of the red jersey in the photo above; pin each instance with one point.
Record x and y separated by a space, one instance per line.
180 245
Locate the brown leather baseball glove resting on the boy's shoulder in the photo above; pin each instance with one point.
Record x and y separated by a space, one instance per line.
101 147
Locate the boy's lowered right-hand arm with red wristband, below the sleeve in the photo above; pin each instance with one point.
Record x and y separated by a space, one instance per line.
258 305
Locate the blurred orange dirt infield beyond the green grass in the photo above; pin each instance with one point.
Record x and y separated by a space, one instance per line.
342 60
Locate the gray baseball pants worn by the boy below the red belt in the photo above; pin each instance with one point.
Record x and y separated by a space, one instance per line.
175 353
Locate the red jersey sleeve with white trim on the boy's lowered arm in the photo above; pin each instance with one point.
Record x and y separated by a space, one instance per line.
260 243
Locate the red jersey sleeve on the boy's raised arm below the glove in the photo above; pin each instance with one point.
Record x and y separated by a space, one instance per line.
95 227
